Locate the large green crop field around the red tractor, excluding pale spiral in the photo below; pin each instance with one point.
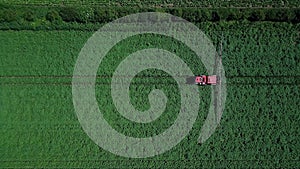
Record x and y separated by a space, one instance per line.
259 127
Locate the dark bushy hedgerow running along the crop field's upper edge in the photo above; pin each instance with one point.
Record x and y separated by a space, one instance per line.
66 17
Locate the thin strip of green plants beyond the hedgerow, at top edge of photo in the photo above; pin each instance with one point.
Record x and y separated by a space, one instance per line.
160 3
